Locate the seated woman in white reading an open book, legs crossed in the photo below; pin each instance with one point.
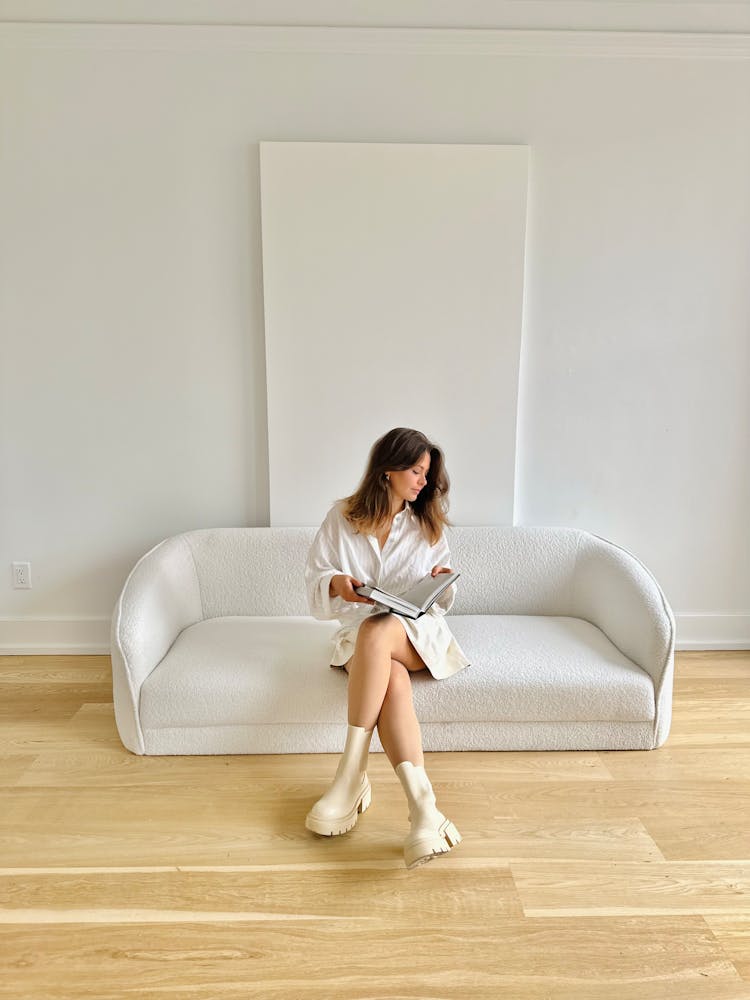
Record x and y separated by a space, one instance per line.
388 533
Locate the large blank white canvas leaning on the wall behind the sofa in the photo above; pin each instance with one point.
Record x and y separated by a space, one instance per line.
393 289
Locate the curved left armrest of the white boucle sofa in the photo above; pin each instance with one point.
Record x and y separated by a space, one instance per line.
160 598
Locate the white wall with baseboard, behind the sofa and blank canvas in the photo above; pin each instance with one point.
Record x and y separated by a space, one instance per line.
132 386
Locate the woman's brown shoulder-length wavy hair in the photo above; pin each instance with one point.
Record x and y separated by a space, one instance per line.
401 448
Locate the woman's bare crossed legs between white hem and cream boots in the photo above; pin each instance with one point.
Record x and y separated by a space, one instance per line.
379 690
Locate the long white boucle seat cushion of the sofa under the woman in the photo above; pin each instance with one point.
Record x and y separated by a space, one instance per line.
241 670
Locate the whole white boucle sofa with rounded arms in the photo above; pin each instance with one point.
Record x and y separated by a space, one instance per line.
570 638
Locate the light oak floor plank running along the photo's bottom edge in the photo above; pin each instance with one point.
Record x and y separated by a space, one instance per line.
558 958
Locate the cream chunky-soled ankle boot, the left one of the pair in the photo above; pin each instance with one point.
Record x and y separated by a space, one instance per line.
336 812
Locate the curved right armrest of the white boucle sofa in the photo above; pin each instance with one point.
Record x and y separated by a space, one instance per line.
613 590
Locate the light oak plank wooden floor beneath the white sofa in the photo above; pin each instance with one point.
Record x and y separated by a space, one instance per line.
584 876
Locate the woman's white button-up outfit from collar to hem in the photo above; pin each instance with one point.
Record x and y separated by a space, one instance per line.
406 558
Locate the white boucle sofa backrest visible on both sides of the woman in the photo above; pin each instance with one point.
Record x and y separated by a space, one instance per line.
504 569
